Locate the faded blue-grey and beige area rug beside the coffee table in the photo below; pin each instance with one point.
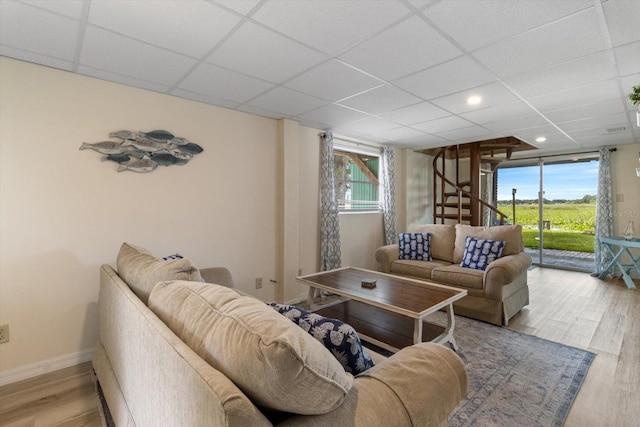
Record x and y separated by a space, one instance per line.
514 379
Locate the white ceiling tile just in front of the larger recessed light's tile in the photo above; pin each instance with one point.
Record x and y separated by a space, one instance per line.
453 76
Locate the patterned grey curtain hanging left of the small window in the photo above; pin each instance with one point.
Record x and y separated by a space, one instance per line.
330 256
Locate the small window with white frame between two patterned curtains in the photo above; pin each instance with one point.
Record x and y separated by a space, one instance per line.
357 185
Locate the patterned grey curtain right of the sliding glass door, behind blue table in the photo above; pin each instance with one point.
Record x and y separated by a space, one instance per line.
604 209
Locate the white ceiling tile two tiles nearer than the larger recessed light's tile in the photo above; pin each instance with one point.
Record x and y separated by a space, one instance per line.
405 48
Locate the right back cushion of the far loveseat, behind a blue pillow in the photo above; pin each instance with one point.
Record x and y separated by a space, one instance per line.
511 234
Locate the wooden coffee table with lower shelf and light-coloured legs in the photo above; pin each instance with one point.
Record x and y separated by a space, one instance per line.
391 315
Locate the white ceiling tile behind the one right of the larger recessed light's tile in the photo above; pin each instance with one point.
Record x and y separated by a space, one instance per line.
597 92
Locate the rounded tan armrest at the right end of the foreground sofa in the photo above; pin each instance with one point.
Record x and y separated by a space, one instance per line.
418 386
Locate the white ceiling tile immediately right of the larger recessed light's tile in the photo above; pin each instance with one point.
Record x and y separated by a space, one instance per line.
580 72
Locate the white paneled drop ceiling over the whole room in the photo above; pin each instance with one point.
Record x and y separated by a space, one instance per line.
385 71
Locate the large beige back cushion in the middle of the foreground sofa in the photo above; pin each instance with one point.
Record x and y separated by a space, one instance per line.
274 362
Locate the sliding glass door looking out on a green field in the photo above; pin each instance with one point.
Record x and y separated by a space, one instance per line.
554 201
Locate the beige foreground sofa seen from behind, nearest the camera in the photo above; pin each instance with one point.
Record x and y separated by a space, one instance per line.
175 351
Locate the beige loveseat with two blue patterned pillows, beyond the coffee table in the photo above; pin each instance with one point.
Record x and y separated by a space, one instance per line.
495 294
